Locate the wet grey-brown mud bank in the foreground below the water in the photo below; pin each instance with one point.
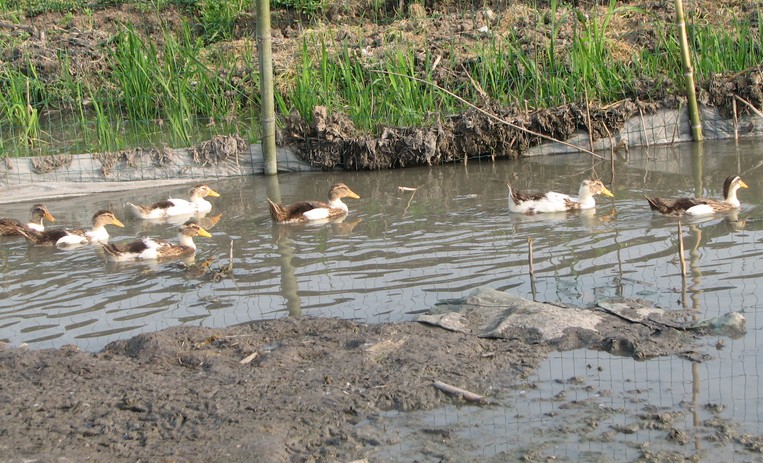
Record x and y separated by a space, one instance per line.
288 390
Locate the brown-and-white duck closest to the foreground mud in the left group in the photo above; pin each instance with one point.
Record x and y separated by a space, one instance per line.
155 249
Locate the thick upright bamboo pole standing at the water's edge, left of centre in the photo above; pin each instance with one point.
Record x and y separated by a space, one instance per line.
267 105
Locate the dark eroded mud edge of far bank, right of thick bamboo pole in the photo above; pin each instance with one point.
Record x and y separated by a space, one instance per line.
332 141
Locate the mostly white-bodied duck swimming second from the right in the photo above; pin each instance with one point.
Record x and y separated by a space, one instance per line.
525 202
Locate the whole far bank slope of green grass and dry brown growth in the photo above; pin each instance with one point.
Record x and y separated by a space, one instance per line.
194 73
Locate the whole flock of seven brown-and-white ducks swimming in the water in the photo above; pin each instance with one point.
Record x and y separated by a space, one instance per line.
520 202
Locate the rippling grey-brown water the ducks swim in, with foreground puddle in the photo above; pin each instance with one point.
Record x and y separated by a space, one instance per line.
399 252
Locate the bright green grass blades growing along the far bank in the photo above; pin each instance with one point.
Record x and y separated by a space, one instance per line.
190 87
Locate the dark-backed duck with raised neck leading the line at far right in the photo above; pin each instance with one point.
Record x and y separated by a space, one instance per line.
701 206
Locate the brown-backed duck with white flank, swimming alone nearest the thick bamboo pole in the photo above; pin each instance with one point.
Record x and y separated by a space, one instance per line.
306 211
